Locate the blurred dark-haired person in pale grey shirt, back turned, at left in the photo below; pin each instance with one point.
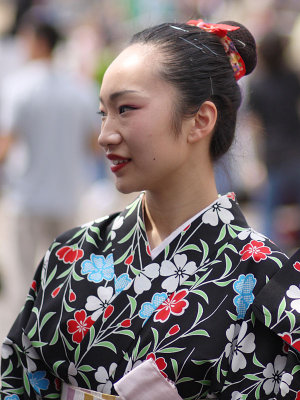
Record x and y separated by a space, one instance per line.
48 128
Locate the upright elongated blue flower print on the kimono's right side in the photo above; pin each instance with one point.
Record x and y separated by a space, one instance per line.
244 286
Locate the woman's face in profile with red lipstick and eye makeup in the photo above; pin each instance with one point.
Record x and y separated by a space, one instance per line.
137 133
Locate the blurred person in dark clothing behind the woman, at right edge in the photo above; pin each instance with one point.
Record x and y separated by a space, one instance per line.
274 98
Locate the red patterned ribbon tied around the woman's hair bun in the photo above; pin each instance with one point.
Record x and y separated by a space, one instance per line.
221 30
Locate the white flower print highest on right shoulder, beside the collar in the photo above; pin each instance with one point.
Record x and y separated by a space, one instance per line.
218 210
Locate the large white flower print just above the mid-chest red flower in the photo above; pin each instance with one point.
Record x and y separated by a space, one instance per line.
177 272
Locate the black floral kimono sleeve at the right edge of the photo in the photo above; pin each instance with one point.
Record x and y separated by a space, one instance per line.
263 350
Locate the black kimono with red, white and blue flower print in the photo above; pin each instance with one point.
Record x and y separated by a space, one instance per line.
217 310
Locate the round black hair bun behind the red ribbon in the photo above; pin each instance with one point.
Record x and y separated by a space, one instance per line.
244 43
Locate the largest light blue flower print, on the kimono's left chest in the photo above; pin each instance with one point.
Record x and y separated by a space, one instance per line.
98 268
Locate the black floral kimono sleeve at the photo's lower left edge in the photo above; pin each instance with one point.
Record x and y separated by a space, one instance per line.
24 375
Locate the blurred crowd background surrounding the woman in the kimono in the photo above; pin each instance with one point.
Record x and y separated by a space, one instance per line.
49 126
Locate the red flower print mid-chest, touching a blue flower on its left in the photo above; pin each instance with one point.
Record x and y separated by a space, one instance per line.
174 304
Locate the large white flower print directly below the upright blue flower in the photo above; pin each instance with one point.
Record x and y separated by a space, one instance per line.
239 343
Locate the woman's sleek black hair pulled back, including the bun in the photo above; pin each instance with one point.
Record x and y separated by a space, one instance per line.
195 62
